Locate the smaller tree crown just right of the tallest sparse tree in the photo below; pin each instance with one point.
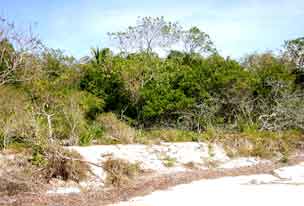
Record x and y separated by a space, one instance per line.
196 41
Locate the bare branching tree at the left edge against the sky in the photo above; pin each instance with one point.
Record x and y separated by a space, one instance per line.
15 47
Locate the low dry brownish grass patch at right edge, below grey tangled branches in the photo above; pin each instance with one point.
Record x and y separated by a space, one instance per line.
264 144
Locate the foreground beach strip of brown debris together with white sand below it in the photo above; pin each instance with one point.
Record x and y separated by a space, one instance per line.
267 183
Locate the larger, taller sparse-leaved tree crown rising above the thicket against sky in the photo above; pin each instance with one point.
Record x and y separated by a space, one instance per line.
148 35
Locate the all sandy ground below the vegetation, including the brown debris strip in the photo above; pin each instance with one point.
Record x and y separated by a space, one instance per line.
237 181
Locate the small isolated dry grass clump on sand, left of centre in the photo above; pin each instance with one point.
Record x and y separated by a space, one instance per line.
120 172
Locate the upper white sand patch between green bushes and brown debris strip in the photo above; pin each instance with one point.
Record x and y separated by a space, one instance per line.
153 158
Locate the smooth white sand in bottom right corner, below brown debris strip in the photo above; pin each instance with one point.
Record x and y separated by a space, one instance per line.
285 187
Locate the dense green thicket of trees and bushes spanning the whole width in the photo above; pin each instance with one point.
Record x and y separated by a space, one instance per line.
48 96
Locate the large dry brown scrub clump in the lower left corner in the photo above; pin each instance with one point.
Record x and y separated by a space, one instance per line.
30 170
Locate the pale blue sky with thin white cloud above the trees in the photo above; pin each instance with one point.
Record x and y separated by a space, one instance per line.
237 27
